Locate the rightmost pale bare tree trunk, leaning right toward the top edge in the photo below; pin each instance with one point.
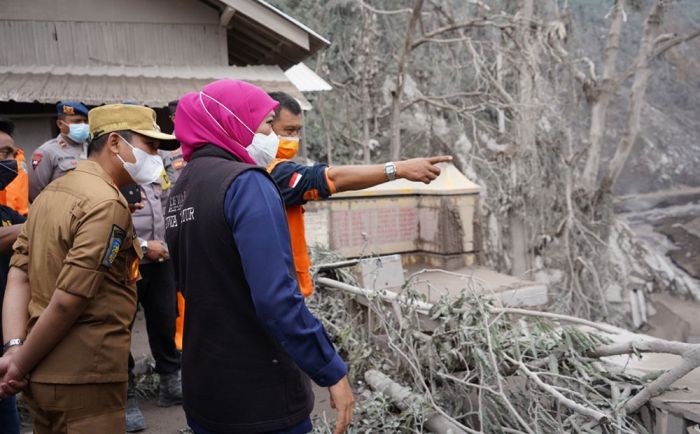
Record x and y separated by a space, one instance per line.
639 87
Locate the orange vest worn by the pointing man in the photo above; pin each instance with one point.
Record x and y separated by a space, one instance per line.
295 221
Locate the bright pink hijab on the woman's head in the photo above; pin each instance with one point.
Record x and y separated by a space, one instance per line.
194 127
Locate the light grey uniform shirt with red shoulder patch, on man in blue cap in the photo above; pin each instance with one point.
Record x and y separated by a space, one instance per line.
52 160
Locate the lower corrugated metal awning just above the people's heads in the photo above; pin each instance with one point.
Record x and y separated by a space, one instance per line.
153 86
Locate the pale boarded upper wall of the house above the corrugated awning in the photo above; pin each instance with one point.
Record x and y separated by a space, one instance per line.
29 43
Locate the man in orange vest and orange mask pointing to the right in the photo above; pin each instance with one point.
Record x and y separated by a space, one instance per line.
300 184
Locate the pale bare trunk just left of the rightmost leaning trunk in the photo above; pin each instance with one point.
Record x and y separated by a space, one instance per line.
603 95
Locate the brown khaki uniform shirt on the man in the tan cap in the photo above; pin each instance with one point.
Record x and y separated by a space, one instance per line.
79 238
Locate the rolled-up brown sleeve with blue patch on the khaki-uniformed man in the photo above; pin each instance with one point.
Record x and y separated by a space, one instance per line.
100 234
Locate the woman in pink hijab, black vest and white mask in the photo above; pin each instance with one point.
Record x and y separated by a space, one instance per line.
250 344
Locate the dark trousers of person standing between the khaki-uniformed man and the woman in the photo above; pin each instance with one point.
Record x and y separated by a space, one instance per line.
157 296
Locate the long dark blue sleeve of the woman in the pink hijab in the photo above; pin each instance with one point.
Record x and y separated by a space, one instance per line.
256 216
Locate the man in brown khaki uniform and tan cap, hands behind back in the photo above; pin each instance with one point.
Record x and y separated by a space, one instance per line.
71 293
